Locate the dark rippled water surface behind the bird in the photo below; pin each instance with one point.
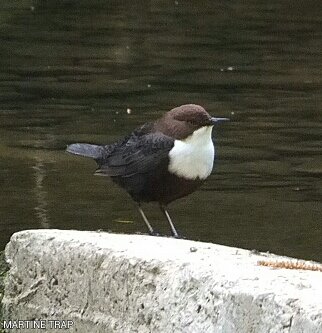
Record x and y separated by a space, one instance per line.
69 70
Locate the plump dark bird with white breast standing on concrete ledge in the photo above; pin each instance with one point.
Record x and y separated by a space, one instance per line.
161 161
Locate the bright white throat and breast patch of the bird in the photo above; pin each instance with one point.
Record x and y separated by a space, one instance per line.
193 157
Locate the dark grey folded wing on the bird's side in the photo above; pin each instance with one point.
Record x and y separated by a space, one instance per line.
139 154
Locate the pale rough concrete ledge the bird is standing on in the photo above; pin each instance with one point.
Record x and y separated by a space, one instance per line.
134 283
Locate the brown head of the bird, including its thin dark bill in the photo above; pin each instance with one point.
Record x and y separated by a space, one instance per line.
183 120
